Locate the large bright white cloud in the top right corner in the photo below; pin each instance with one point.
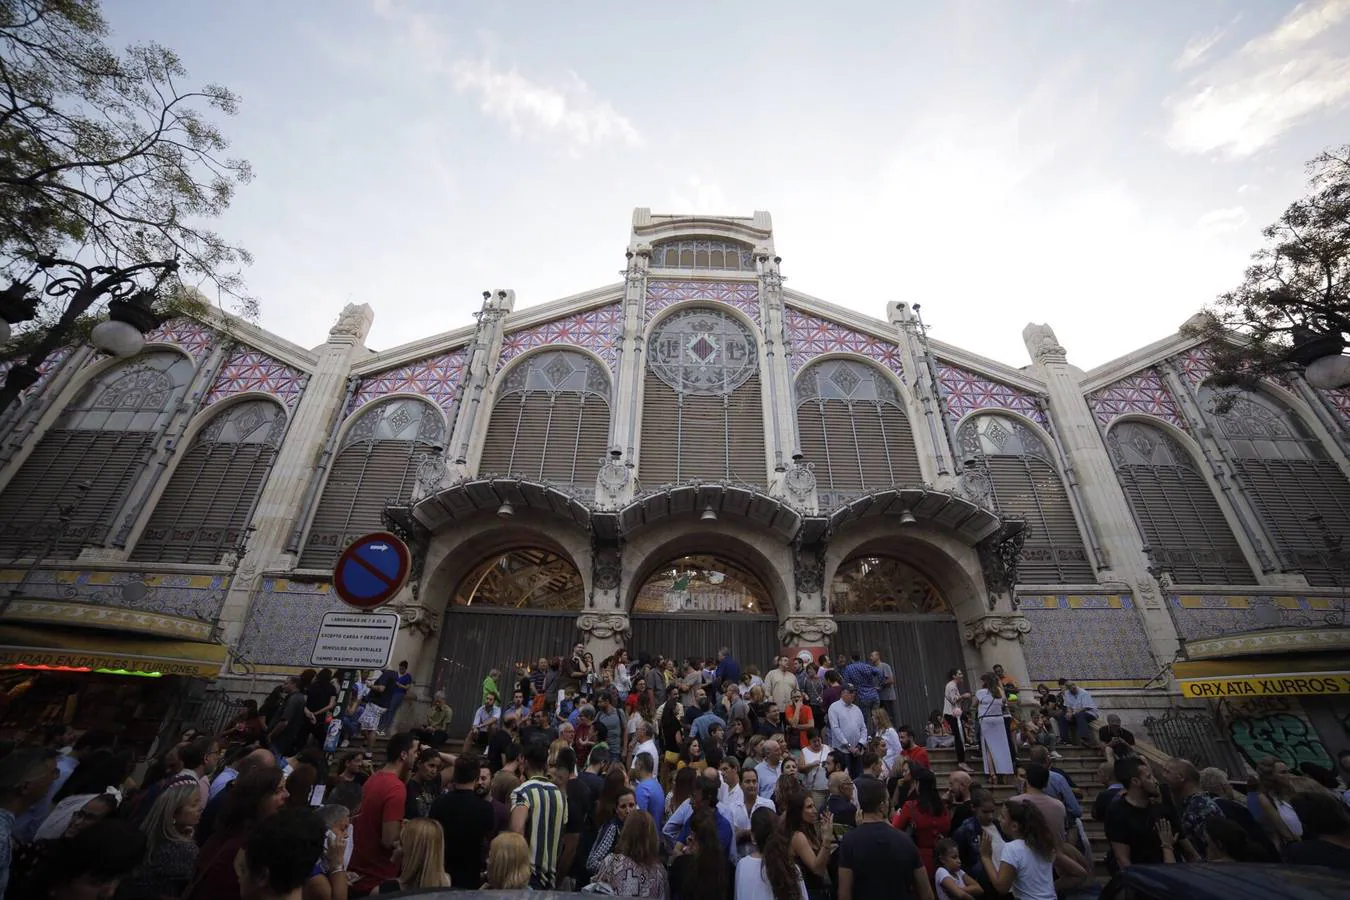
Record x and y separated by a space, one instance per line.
1247 101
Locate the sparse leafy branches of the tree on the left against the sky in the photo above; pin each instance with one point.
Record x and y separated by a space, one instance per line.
106 157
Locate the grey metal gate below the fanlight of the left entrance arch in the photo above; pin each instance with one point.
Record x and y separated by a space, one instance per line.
475 643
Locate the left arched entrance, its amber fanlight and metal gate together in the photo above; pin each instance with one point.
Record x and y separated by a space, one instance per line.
512 608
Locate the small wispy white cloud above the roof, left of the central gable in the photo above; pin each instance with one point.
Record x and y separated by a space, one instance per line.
537 110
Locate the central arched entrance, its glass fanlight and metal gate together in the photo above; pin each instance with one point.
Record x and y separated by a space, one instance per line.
696 604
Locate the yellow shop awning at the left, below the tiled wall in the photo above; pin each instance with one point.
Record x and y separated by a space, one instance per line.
72 650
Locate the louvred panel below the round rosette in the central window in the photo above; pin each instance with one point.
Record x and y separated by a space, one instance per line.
708 438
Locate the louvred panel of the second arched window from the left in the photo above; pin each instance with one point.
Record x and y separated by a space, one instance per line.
207 504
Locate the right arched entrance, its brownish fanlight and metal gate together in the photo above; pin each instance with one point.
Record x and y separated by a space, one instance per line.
885 604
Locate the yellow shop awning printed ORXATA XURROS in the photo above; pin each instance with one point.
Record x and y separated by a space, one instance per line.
1264 677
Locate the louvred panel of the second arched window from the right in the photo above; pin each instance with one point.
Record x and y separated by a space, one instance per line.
1183 526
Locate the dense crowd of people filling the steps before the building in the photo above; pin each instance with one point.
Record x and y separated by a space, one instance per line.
638 778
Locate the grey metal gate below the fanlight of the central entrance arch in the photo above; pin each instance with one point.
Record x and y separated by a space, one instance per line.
751 639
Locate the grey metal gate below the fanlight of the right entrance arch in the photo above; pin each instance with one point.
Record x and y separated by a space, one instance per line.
921 651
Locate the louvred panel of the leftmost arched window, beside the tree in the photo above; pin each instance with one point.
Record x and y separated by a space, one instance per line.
30 508
